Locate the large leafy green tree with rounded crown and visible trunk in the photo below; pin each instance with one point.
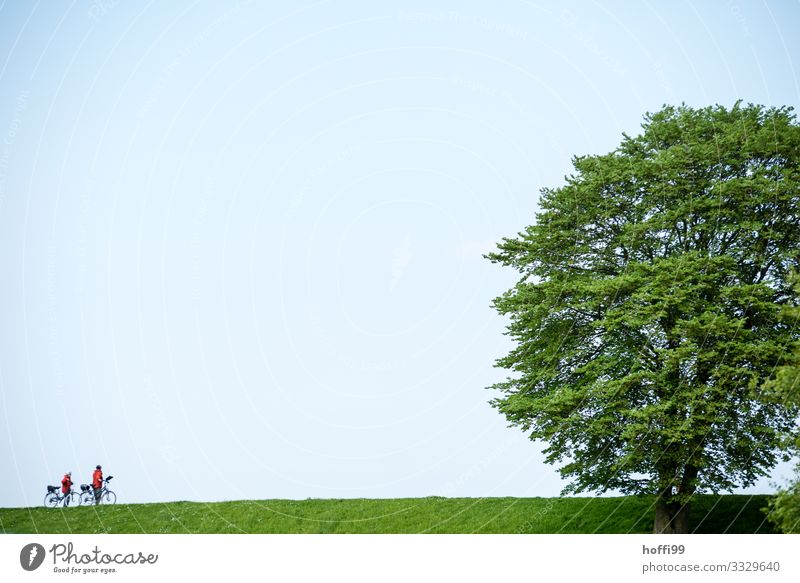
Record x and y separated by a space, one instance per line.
647 315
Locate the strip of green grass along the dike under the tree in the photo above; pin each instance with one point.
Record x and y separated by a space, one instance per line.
709 514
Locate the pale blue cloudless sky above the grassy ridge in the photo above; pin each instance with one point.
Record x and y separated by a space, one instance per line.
241 243
